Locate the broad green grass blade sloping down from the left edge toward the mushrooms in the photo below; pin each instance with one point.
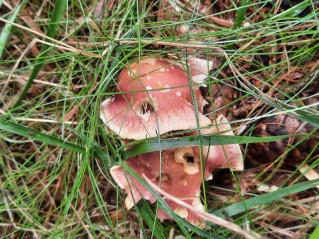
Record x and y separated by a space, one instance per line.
36 135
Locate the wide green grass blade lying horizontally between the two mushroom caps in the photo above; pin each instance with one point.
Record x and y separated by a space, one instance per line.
171 143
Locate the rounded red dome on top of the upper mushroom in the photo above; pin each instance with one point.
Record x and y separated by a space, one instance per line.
155 74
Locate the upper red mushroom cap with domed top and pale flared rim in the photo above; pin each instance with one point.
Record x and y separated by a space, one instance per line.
153 97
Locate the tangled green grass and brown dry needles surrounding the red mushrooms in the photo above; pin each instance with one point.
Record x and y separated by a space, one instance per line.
60 61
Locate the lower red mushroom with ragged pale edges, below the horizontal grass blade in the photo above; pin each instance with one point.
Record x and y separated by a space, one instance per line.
177 171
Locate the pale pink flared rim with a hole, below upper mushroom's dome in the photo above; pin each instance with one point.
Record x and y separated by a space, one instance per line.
149 118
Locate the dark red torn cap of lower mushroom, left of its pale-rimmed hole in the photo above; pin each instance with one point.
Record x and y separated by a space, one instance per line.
164 170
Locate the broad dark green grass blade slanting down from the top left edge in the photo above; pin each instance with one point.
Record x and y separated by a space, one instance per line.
57 14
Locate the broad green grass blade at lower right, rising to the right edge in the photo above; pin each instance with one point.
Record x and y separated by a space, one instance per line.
241 207
